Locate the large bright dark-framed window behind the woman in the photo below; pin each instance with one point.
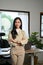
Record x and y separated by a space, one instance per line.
7 17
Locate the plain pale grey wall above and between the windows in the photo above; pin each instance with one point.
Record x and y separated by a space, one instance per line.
34 6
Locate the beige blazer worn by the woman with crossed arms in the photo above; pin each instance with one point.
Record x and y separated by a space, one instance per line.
20 37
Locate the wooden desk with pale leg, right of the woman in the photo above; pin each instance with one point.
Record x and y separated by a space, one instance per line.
32 52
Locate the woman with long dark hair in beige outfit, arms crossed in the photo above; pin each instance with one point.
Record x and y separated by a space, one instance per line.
17 39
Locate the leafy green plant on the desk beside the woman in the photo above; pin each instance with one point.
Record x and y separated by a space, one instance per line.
35 40
